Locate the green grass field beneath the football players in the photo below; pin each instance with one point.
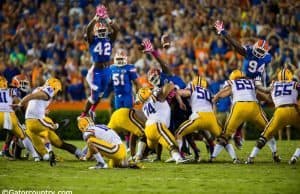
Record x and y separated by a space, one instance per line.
220 177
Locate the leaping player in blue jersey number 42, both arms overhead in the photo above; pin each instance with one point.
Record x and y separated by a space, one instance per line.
100 41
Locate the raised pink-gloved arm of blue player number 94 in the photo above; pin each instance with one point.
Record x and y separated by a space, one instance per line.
219 27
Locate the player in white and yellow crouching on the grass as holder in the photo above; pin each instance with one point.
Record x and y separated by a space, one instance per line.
104 141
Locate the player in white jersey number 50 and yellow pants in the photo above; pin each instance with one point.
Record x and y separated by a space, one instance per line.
203 116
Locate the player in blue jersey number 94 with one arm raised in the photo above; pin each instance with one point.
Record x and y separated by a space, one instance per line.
256 56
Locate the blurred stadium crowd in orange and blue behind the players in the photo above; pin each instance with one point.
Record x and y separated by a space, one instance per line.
47 37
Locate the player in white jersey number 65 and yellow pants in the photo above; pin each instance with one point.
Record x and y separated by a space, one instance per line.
284 93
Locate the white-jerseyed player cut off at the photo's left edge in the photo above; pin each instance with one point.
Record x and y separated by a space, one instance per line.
8 118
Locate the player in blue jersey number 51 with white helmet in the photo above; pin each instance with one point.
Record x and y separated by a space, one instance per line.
123 74
